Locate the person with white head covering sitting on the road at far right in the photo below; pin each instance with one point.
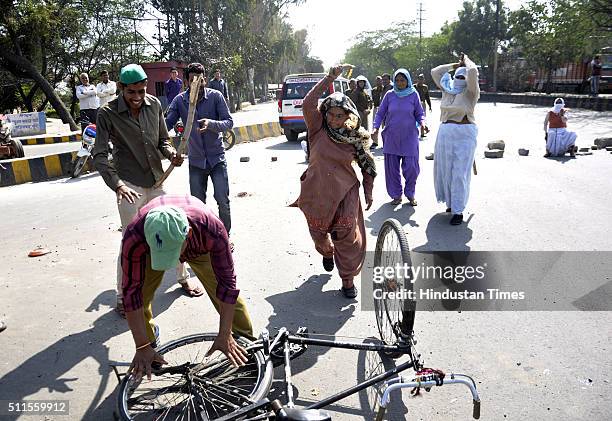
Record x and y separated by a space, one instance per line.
559 140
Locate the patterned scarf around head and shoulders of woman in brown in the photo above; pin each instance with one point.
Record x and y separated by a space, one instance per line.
351 133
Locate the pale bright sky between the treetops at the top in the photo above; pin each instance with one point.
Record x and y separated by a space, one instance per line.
332 26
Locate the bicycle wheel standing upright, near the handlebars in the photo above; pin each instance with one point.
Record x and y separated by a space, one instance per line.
394 309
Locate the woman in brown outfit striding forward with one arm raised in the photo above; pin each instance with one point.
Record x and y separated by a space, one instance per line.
329 196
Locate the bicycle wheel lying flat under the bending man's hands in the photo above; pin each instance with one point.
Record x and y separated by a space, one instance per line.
194 387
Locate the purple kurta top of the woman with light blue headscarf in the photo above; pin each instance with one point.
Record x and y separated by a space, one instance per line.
400 115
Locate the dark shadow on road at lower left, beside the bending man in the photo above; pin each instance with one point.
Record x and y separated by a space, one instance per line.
50 368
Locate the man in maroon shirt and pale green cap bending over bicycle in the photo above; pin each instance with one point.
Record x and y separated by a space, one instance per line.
167 229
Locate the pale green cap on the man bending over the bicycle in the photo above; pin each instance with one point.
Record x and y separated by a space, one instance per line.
166 229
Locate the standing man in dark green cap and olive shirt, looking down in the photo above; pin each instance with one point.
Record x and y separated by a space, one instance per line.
135 125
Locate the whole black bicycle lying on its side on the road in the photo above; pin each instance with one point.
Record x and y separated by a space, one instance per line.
194 387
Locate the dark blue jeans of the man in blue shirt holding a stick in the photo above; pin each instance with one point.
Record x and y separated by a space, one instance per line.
198 184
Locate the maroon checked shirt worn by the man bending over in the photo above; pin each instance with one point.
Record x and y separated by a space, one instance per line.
208 236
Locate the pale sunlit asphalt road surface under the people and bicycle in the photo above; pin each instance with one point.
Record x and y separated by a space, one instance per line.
548 365
